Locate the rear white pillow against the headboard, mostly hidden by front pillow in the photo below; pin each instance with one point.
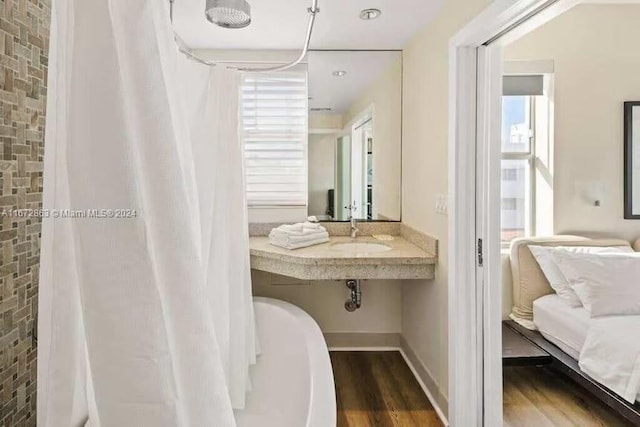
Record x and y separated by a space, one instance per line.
546 259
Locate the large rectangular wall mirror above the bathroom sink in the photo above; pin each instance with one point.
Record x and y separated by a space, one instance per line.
355 135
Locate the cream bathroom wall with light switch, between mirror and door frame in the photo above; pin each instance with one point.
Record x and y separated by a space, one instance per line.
424 176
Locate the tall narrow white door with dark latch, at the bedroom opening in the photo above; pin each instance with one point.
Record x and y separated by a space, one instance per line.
488 229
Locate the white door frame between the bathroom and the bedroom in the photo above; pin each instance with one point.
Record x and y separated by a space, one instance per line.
475 291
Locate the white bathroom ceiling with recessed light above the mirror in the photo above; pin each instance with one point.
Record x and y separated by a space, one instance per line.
282 24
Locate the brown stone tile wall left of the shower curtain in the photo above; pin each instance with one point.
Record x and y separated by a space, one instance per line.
24 42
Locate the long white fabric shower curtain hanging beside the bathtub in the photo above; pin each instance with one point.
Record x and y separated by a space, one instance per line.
144 320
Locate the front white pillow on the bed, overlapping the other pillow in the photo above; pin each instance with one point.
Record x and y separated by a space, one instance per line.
607 284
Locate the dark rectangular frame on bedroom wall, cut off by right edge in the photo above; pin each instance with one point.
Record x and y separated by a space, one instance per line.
632 160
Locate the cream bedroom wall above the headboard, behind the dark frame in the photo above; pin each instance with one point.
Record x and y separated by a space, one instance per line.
597 64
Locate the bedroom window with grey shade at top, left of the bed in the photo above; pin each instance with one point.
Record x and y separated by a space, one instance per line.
525 136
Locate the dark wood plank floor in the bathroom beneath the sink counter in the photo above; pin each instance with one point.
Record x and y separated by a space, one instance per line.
377 389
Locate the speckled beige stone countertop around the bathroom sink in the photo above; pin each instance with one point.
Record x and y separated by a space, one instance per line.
323 262
